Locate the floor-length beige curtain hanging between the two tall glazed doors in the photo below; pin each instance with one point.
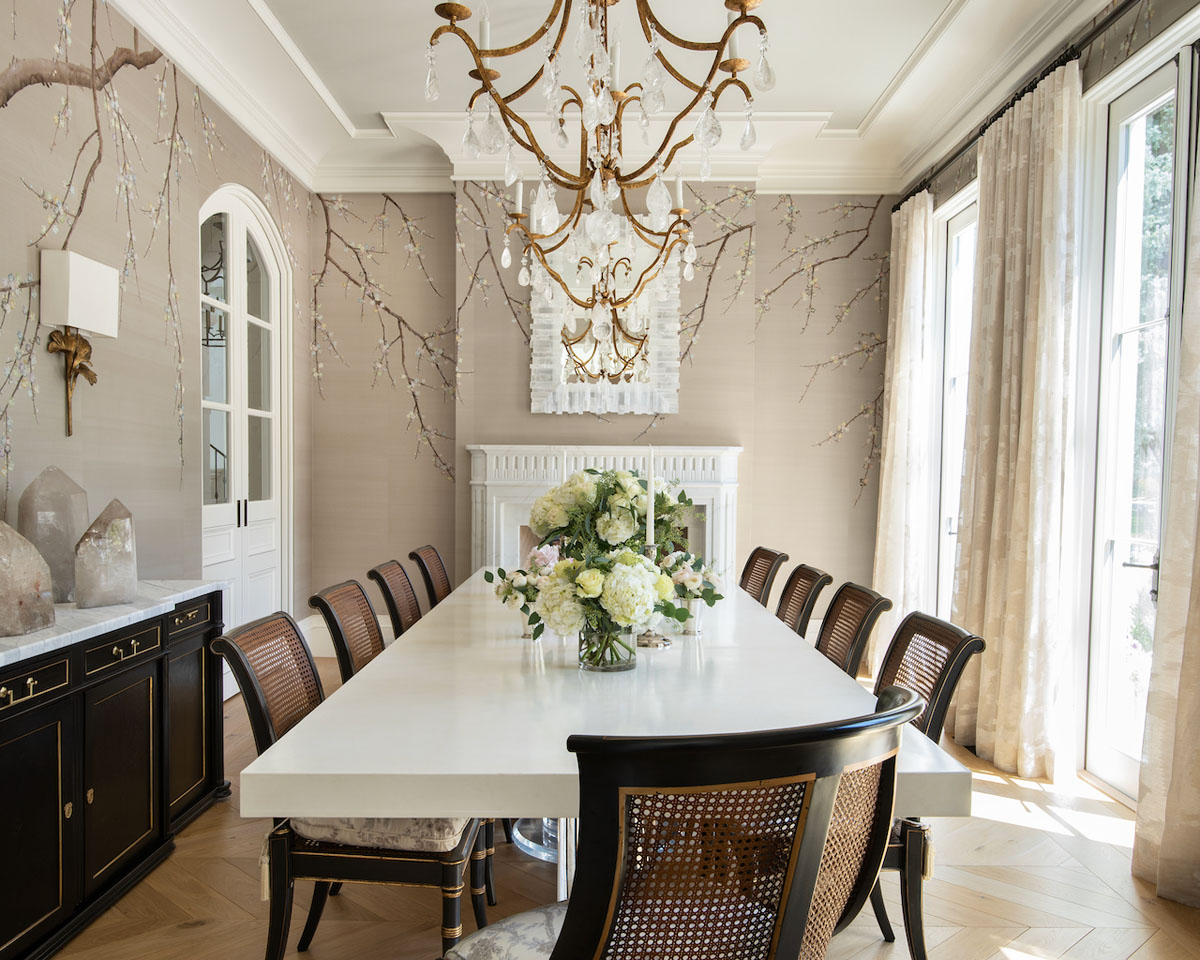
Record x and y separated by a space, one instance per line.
1011 569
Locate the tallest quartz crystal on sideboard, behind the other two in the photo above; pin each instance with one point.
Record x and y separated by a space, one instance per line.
52 515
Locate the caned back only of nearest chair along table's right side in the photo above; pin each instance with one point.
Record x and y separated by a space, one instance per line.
929 656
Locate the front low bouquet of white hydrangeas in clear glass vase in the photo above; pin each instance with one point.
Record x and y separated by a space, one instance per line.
607 599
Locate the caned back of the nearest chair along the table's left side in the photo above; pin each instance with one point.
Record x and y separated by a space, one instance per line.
275 674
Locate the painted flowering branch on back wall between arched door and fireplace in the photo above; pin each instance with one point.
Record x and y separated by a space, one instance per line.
412 358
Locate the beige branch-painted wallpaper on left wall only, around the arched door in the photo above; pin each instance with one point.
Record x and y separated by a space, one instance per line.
128 440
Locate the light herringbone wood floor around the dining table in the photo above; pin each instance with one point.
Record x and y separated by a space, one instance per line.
1036 873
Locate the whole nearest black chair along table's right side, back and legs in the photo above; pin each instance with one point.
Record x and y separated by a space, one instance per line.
927 656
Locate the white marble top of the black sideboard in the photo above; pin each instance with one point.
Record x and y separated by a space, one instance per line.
71 625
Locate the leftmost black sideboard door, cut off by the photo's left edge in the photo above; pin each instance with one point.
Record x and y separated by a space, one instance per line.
39 880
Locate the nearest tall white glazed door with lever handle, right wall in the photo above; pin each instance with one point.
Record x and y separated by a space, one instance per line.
1145 185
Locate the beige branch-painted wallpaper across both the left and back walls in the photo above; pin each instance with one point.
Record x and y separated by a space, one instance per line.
410 343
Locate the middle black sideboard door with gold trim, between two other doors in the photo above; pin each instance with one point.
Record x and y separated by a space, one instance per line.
121 781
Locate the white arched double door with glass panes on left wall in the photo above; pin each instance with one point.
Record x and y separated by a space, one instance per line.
241 309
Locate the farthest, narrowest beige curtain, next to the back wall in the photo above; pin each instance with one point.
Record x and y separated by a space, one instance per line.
907 532
